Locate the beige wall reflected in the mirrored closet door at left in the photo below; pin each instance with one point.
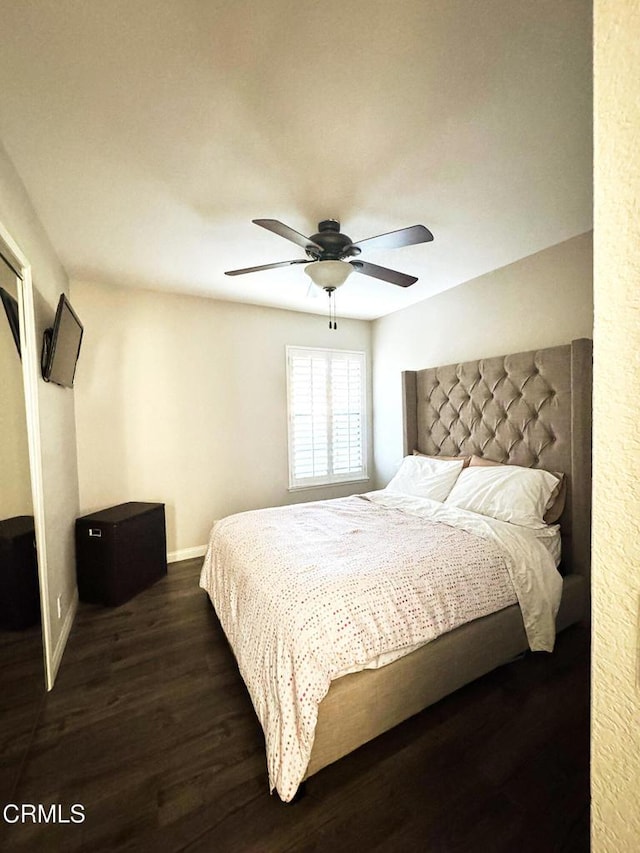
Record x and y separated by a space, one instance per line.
15 480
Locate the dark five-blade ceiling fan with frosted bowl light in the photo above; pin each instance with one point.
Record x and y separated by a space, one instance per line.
328 253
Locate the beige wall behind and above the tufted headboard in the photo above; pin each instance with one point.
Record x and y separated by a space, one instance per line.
543 300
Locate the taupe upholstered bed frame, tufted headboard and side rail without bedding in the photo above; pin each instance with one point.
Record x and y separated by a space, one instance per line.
531 409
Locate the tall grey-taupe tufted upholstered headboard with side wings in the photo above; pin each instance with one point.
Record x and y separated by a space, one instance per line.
531 408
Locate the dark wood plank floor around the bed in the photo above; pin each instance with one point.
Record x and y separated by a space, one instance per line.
150 728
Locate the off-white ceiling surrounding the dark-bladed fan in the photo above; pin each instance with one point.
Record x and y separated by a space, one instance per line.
150 133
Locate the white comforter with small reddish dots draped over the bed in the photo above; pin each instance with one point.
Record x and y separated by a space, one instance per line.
307 592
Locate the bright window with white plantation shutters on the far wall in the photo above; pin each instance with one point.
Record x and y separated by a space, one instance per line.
327 423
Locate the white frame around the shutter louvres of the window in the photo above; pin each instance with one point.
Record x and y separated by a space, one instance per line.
296 483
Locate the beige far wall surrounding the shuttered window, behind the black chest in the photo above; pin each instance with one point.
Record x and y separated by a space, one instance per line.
183 400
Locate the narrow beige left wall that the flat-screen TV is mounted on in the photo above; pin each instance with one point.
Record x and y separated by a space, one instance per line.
56 413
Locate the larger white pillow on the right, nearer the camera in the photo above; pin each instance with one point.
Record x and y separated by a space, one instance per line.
506 492
